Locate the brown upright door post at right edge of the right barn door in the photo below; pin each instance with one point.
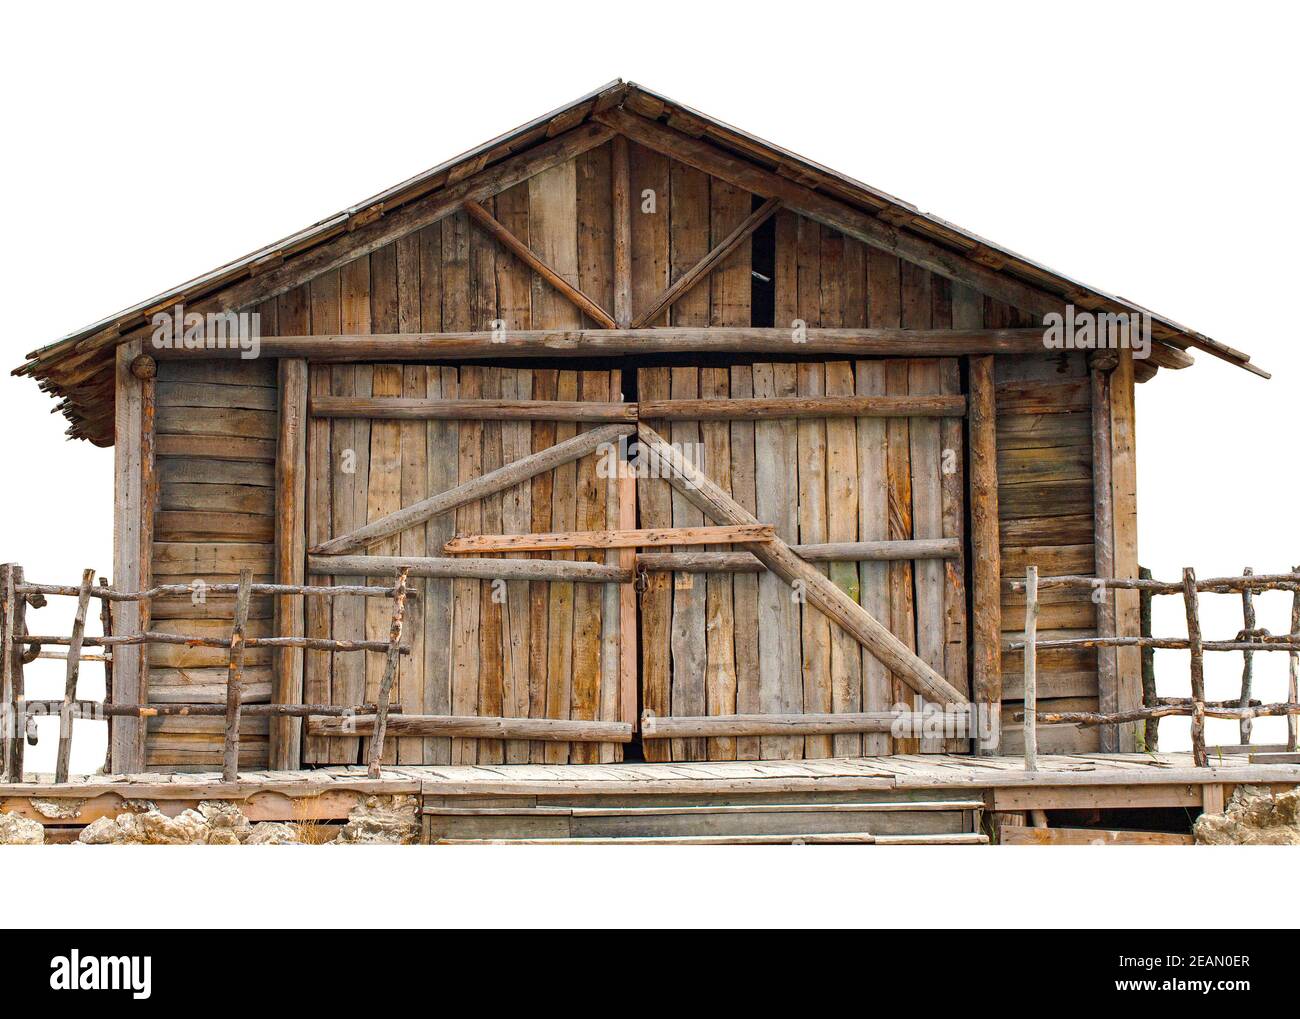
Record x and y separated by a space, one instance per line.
987 562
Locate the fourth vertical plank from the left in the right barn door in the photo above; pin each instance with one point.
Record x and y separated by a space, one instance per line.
746 586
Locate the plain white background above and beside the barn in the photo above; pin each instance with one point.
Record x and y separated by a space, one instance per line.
1147 150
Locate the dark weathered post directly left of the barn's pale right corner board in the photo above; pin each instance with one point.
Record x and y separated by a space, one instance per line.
1104 548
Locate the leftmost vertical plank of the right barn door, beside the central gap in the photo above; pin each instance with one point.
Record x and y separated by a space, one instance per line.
656 511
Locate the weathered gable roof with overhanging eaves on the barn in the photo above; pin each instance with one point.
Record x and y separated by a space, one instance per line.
79 368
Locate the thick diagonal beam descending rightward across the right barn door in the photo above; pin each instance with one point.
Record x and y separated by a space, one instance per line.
813 584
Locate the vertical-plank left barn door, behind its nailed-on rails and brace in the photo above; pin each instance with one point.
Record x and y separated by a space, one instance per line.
480 648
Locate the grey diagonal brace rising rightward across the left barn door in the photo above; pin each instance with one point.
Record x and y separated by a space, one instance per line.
479 488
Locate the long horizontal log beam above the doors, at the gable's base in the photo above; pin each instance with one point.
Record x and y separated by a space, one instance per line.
619 342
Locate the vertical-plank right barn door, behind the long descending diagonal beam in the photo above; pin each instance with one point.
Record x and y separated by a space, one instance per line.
725 644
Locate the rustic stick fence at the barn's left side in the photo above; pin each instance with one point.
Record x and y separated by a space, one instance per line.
21 648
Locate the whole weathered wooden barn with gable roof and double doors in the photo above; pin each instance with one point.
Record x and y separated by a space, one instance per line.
687 450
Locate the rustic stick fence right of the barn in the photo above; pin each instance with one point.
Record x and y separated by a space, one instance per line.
1250 641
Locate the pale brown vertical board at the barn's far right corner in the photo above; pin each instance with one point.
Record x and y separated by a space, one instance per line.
1124 479
